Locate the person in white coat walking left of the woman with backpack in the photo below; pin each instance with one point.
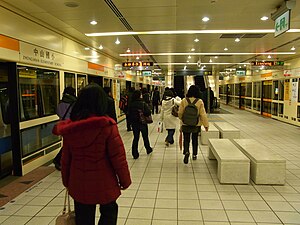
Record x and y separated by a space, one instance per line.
170 122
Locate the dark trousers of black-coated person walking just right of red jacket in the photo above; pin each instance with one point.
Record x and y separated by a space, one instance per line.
137 128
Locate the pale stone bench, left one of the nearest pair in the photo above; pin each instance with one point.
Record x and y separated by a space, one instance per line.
233 165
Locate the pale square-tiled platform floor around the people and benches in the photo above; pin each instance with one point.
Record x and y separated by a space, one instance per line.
166 191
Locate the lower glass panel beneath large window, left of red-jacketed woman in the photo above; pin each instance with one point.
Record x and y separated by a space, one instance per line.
37 137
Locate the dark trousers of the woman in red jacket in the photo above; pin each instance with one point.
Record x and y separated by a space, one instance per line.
85 214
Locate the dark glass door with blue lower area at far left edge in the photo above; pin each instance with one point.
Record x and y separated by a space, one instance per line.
5 131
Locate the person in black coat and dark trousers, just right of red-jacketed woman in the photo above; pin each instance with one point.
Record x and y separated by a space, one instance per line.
137 104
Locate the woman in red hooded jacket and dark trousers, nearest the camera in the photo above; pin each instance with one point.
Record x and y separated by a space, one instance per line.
94 166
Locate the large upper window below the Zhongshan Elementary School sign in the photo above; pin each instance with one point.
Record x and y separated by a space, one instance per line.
39 92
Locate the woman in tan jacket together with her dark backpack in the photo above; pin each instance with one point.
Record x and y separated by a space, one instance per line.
192 114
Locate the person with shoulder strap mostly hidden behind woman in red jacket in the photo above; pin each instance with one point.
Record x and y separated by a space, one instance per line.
63 111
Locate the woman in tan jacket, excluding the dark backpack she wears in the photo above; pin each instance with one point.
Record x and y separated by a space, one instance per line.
193 93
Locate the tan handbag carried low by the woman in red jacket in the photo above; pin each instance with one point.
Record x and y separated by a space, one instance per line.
67 217
